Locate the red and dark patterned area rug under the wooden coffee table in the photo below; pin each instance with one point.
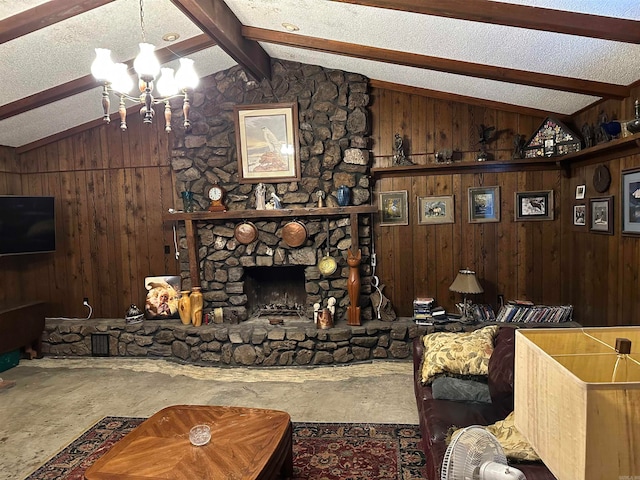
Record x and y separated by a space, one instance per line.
321 451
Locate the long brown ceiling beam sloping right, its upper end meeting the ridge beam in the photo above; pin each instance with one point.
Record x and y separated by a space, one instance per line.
500 74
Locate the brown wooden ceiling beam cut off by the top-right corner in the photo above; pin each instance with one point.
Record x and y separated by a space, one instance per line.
522 16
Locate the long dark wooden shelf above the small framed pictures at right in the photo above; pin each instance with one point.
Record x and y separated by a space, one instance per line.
601 152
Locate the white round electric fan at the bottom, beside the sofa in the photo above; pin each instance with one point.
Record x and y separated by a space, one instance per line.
475 454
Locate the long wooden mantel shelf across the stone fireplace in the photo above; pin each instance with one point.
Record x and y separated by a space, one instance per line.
281 213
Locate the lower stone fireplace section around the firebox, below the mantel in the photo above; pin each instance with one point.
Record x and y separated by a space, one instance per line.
243 278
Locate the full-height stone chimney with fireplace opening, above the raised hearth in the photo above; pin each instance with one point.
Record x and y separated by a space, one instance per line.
333 135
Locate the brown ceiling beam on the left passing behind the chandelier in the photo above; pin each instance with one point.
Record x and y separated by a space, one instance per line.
87 82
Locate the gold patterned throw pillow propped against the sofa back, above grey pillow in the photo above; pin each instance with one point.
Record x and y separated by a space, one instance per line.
465 353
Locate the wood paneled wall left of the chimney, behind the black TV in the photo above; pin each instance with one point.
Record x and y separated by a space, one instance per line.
111 189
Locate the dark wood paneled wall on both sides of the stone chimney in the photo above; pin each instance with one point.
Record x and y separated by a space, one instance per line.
111 189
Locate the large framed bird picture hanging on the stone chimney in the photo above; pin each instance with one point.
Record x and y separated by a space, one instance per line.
267 142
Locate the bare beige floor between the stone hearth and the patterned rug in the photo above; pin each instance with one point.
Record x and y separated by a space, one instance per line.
55 399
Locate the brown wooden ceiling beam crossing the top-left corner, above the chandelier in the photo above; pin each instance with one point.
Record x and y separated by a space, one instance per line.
44 15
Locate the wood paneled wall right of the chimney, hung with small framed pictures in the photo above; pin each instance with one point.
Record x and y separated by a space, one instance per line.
548 262
